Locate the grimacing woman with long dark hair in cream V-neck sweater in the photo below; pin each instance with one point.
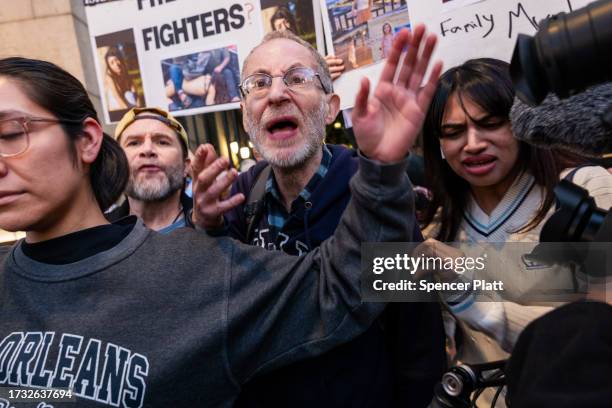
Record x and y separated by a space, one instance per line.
489 187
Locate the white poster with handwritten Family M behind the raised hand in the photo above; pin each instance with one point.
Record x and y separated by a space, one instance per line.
466 29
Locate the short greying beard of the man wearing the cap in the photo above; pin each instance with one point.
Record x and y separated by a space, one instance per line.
148 190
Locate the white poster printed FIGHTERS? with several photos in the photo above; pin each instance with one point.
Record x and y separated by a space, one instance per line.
184 56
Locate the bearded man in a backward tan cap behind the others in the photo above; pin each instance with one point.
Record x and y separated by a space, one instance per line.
157 149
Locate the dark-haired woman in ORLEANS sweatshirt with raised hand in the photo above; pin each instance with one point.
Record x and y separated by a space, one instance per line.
124 316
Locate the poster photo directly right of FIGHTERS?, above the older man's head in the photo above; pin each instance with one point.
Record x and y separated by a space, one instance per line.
296 16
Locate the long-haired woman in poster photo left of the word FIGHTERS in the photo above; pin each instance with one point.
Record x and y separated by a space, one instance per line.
121 92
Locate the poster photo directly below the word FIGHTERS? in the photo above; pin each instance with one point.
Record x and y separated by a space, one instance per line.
204 78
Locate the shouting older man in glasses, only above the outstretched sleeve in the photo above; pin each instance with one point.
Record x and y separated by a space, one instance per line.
305 180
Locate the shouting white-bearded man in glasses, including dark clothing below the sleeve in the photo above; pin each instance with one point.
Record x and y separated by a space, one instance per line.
295 200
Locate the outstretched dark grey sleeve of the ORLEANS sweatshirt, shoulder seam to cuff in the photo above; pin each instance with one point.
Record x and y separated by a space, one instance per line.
282 309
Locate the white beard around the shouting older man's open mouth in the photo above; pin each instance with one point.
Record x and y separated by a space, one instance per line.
314 133
